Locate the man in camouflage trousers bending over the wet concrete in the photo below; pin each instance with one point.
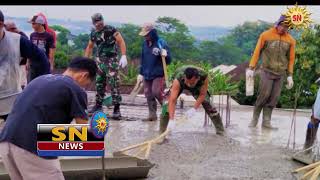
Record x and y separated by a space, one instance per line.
195 80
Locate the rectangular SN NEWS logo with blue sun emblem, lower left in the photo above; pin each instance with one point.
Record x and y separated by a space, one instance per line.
73 139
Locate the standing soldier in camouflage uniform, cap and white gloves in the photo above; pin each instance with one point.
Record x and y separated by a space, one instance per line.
107 38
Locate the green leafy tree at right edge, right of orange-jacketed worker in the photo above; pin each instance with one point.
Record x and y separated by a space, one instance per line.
306 70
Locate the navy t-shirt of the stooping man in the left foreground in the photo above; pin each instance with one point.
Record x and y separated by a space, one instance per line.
48 99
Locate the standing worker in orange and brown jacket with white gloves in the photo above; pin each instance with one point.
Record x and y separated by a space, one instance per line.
276 48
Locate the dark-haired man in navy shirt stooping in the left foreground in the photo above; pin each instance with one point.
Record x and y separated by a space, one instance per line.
49 99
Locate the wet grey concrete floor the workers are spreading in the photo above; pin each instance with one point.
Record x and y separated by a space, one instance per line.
193 151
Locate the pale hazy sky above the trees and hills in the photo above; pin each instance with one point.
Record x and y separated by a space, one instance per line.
226 16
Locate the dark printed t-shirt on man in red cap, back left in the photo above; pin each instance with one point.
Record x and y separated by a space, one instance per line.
43 40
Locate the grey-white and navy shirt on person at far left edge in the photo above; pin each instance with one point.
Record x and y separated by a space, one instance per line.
12 47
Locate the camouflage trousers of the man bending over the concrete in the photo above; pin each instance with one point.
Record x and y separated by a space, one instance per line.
209 109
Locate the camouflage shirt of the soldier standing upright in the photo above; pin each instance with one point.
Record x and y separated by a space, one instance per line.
105 41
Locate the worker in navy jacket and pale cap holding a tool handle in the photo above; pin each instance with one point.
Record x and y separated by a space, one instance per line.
151 70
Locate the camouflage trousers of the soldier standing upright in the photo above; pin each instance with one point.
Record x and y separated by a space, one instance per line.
108 72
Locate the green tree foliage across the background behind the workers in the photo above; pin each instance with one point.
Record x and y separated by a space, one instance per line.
234 48
